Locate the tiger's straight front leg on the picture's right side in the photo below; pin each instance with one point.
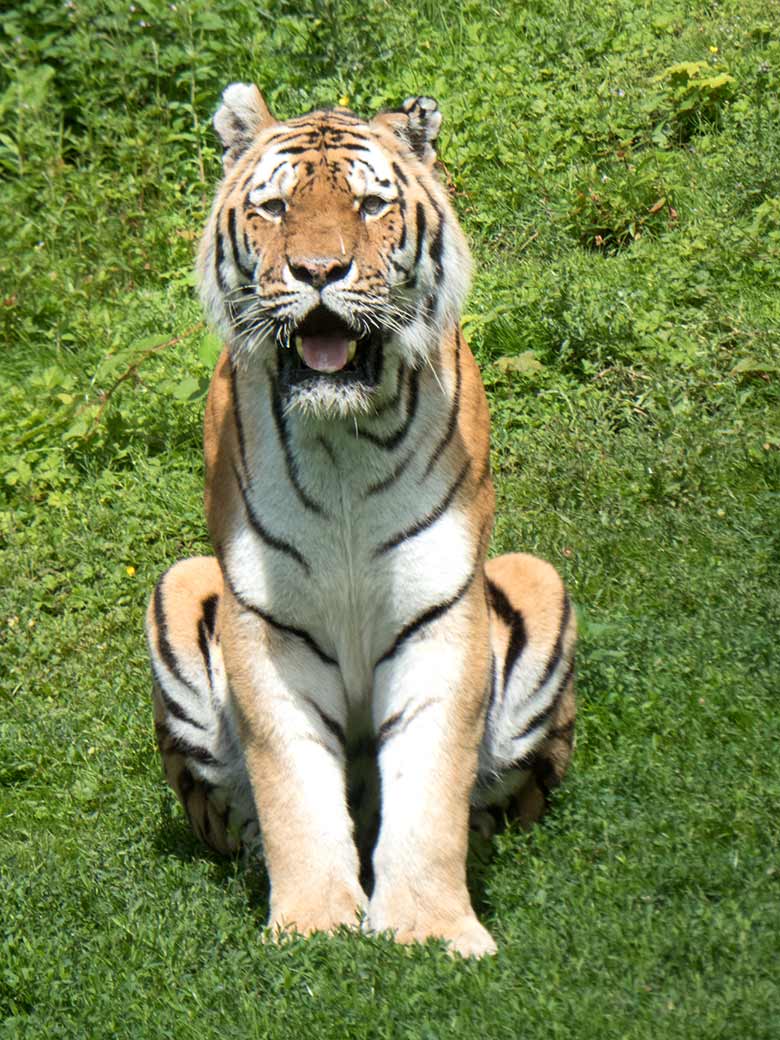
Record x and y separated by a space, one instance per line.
429 701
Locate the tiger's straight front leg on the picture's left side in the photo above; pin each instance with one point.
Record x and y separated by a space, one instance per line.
292 709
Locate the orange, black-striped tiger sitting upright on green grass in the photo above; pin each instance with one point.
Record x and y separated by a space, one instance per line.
350 612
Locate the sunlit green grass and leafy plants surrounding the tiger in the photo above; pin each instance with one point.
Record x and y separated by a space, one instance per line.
616 167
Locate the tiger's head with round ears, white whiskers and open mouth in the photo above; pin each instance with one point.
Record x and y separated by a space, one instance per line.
332 252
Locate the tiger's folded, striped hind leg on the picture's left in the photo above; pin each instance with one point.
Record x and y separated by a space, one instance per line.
194 721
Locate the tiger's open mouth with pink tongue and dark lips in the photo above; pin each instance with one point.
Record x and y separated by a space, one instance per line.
325 347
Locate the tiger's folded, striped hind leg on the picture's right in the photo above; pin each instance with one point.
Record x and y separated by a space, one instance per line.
530 726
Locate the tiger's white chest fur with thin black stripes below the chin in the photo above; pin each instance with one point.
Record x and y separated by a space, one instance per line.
344 529
